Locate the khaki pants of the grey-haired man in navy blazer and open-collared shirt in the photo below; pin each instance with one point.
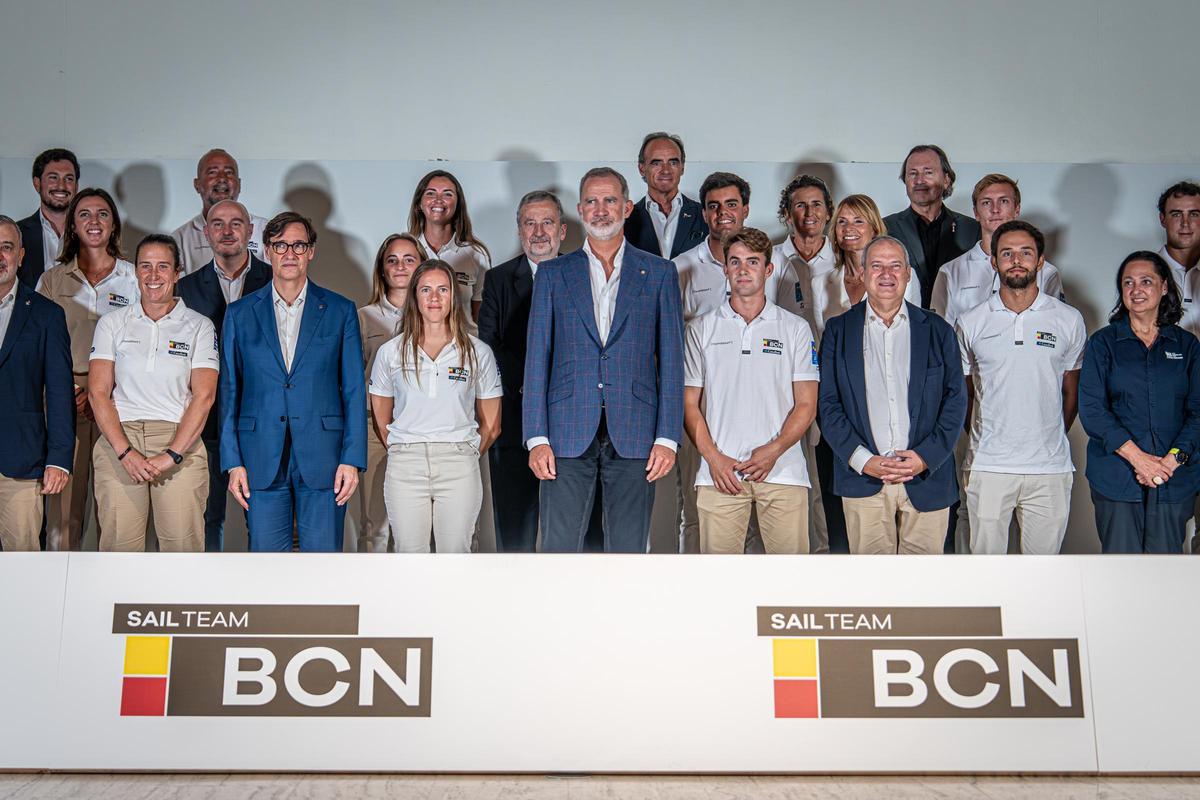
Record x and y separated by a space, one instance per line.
887 522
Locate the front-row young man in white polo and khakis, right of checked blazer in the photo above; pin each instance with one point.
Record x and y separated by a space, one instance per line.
751 392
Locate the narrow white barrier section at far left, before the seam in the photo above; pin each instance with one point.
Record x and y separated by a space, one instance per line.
32 592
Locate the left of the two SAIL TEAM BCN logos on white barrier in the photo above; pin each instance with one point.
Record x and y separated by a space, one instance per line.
267 661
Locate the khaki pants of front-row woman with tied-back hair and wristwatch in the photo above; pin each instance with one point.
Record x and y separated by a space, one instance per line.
177 500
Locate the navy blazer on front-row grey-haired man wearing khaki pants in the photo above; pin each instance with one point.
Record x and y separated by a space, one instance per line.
937 405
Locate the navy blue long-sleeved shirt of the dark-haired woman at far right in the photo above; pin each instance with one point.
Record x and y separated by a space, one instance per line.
1150 395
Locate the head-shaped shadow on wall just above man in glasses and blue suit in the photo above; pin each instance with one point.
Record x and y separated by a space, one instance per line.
343 262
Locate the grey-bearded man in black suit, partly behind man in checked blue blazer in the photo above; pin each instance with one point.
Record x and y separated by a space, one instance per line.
503 323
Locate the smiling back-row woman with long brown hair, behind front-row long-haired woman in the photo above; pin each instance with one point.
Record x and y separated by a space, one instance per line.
440 220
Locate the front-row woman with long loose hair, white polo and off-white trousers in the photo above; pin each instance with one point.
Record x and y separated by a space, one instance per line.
441 389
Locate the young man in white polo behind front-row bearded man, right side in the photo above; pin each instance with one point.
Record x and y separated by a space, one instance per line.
970 280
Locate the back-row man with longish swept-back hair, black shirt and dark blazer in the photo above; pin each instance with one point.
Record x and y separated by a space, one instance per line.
931 232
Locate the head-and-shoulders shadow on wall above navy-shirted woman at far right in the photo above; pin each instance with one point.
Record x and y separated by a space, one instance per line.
1088 196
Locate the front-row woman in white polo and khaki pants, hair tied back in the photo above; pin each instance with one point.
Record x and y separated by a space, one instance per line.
152 381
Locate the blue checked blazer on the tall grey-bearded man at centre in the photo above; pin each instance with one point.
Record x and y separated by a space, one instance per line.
638 374
